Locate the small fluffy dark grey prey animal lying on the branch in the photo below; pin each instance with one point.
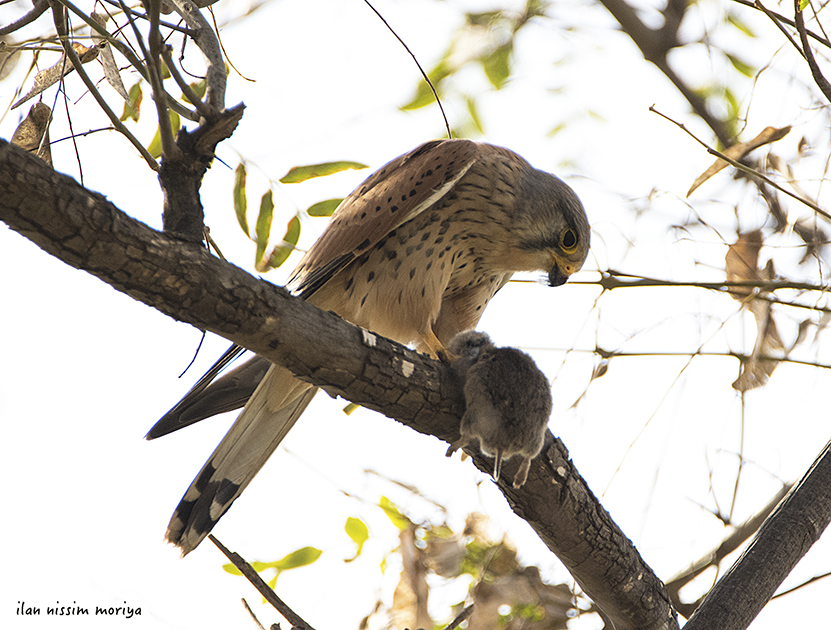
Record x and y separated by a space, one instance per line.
507 400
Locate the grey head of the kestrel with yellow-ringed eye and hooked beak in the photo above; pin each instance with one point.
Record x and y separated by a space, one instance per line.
550 228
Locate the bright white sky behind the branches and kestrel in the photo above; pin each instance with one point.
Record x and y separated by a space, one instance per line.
88 370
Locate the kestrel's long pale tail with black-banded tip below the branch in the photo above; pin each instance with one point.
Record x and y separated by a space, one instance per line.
264 422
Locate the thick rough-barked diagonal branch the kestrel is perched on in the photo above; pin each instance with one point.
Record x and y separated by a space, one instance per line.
183 281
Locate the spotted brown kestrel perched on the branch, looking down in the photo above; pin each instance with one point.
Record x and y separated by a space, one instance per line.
415 254
